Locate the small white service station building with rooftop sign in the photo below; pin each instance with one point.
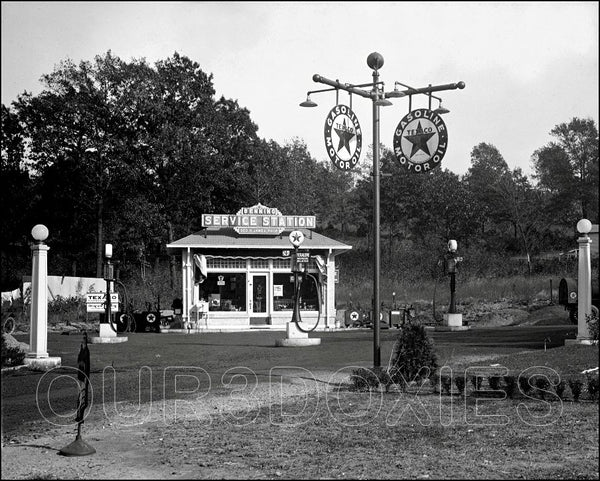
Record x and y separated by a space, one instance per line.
237 271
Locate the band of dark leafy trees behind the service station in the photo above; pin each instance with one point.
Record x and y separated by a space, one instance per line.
133 154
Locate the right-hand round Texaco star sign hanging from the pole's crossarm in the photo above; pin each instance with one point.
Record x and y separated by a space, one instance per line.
420 140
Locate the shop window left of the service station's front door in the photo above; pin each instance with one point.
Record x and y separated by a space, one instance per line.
224 291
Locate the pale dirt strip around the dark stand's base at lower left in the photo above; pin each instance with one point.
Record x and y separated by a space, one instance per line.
131 448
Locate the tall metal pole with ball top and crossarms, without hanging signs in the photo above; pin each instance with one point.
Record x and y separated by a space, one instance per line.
379 98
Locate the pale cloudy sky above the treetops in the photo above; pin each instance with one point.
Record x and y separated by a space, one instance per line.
528 66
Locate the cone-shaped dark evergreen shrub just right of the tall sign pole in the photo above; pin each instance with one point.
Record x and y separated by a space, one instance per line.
413 356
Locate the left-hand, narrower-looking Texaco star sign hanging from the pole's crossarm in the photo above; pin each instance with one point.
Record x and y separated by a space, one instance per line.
343 137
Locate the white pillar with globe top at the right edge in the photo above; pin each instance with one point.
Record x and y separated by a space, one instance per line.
584 280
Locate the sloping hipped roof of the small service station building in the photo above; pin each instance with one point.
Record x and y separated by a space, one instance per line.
227 238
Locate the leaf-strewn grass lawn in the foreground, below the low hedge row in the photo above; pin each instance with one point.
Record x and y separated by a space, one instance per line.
390 436
